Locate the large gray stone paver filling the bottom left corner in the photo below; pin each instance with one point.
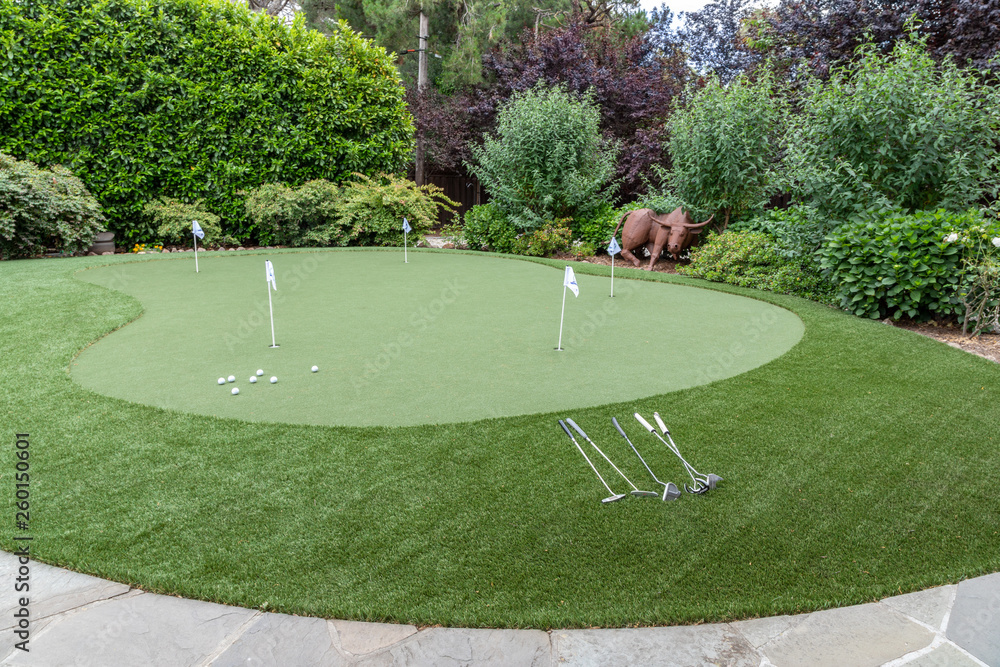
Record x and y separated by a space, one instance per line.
136 629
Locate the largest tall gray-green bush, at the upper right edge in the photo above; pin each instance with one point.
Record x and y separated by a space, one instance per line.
896 131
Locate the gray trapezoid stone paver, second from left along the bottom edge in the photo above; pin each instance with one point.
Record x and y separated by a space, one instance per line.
278 639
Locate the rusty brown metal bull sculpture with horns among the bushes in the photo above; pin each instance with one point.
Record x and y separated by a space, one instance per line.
674 231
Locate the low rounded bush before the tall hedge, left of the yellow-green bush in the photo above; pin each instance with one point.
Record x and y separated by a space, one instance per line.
303 216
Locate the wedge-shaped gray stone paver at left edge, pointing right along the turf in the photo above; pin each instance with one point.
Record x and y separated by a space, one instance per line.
51 589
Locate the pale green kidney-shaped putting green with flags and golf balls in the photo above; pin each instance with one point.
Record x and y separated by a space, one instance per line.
445 338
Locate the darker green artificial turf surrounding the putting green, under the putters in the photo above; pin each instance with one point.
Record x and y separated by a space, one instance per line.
857 465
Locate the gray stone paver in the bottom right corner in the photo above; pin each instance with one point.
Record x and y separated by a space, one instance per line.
975 618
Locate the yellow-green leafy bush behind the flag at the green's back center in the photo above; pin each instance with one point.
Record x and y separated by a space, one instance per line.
372 209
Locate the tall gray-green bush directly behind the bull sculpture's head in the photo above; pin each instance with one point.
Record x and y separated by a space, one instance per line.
724 146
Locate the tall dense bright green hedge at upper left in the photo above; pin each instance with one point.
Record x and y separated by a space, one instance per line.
192 99
